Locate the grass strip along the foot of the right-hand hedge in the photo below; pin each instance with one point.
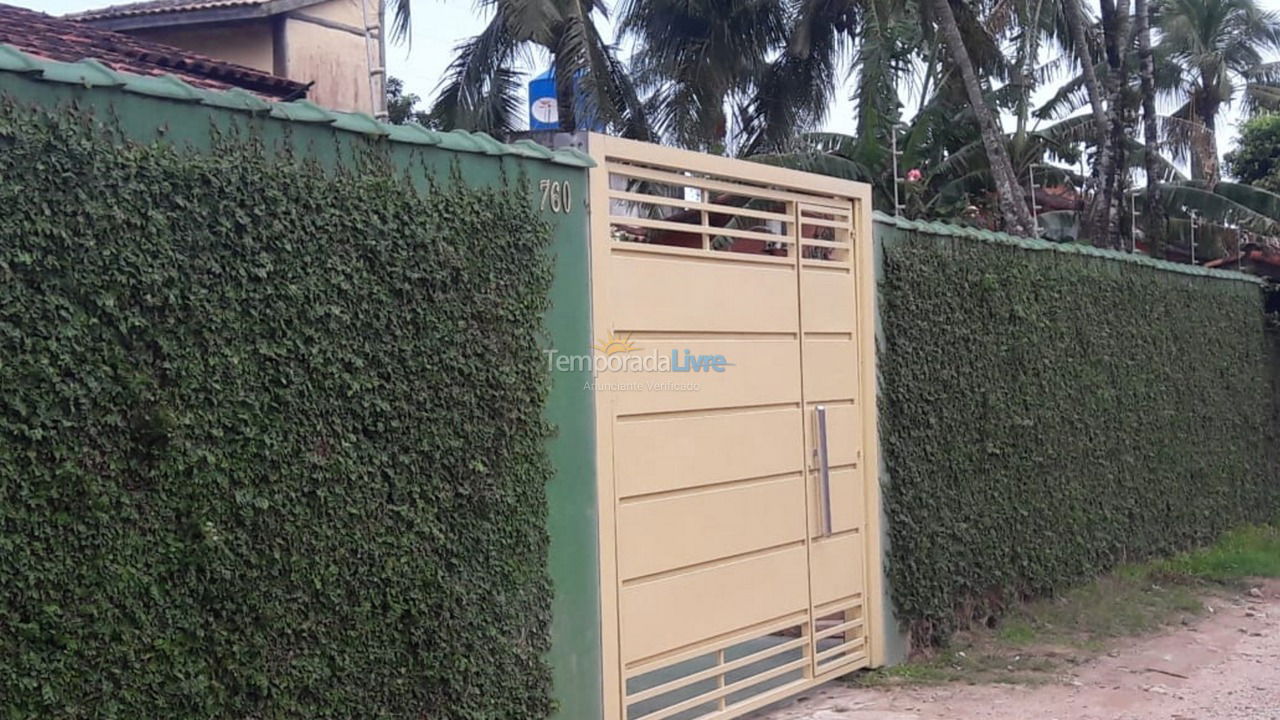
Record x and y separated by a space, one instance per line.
1040 640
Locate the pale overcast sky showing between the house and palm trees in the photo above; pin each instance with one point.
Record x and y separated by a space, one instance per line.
441 25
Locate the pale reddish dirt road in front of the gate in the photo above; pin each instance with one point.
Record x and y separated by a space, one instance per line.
1226 667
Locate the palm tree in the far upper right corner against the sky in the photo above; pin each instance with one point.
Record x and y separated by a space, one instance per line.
1218 45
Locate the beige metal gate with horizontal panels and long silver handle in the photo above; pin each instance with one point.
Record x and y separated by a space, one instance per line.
735 404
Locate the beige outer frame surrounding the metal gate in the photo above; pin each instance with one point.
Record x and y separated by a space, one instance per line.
602 149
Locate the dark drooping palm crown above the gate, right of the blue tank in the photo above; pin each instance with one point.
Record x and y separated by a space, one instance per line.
749 76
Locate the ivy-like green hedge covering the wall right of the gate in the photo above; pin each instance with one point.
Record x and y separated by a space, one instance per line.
1048 416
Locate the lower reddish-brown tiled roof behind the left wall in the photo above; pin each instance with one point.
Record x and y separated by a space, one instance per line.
70 42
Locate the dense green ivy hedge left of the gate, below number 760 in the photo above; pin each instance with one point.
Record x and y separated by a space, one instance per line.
271 436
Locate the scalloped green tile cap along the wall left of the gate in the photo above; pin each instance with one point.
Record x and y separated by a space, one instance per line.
93 74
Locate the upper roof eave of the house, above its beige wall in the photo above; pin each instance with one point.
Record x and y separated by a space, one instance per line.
182 12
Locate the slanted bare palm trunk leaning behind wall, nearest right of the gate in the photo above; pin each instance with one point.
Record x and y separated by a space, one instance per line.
1009 194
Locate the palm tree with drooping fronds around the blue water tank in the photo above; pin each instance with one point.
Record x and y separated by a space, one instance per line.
482 89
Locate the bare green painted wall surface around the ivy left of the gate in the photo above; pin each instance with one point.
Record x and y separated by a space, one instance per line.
141 116
